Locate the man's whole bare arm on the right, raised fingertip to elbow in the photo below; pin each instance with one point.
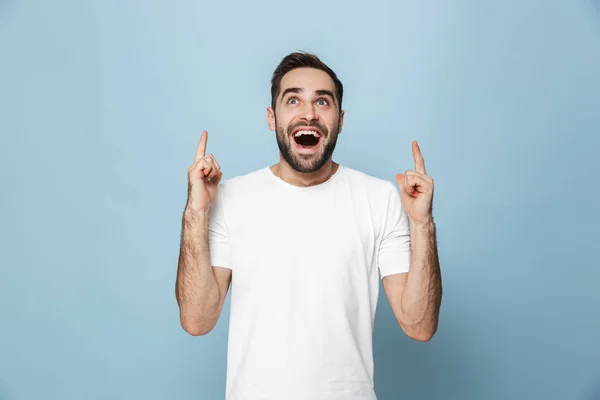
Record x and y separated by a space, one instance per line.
415 297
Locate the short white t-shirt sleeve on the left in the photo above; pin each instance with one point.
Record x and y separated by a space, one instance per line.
218 243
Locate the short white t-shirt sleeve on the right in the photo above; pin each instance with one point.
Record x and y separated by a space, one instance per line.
394 247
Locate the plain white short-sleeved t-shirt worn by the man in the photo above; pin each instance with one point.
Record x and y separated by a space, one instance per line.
306 264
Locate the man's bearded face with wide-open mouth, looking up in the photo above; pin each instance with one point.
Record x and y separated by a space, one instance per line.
306 118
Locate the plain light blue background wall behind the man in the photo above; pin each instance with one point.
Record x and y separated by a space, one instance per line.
101 108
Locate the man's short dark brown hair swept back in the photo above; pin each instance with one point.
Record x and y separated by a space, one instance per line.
299 60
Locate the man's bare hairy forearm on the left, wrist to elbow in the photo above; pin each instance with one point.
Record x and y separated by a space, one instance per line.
196 288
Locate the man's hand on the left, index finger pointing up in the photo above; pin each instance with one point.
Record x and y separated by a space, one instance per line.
204 176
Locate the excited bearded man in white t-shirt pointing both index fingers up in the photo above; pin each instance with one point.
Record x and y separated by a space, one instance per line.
304 243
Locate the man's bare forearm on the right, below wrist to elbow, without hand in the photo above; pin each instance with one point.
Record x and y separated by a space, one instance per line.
422 294
